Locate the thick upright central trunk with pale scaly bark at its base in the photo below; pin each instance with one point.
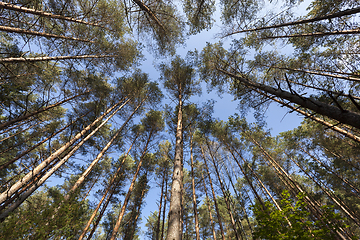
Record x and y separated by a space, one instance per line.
175 227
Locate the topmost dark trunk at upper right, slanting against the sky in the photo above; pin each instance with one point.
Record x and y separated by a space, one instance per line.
310 20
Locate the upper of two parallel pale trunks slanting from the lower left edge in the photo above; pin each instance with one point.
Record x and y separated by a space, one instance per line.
36 170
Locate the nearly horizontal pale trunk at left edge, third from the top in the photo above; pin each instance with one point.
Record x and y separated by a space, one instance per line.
55 58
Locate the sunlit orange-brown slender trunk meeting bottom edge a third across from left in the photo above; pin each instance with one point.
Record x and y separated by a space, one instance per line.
126 200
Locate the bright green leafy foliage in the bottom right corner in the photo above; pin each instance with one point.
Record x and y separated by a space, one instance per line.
293 222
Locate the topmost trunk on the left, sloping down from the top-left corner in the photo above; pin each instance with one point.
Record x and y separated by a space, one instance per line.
44 14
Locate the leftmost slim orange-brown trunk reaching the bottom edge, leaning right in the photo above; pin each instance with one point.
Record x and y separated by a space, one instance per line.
110 188
